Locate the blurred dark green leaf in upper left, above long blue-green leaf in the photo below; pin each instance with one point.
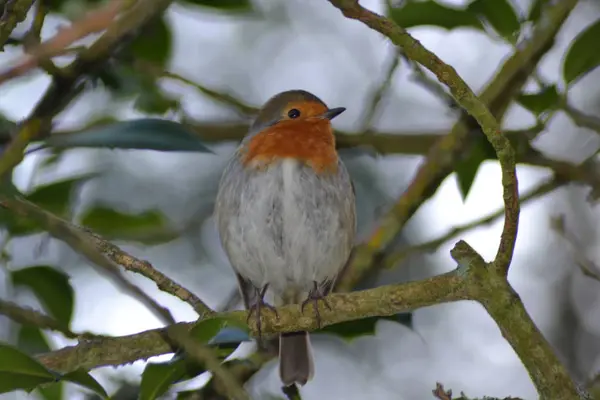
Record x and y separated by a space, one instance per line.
154 42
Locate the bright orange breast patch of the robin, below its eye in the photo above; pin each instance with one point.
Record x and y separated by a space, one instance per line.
311 142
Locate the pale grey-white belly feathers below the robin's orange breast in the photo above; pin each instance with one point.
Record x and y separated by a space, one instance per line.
286 223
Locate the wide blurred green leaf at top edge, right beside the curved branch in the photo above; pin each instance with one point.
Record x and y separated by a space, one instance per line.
429 12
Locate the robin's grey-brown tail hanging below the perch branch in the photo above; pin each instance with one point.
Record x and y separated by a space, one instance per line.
295 358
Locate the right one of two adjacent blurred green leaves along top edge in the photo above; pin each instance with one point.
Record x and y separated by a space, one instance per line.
500 14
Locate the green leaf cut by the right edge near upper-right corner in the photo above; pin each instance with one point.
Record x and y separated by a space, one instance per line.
583 56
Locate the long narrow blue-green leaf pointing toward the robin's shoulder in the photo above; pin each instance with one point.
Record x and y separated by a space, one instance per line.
144 134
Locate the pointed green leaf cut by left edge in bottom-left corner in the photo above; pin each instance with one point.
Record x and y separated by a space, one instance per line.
20 371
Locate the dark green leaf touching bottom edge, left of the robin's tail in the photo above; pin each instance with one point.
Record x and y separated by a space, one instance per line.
158 377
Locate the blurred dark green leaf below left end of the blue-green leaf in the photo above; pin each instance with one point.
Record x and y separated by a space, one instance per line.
55 197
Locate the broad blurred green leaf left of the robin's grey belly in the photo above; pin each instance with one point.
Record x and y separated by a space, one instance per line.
148 227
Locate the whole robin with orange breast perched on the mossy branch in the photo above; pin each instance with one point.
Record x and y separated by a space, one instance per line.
286 216
